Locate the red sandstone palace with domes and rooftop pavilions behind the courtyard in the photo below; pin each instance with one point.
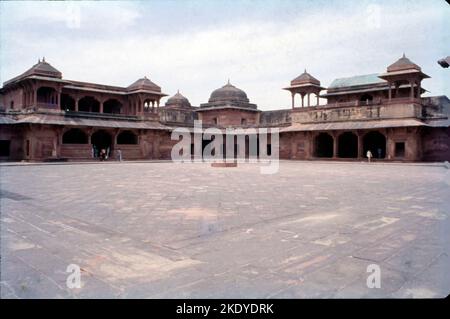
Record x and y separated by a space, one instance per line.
46 117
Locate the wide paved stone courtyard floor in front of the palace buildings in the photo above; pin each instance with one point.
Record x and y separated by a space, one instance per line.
151 230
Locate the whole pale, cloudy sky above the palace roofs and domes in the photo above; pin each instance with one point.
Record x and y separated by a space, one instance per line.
195 46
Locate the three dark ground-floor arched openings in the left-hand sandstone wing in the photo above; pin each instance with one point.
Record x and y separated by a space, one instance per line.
100 139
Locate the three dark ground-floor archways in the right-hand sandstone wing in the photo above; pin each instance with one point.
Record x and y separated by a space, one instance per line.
348 145
